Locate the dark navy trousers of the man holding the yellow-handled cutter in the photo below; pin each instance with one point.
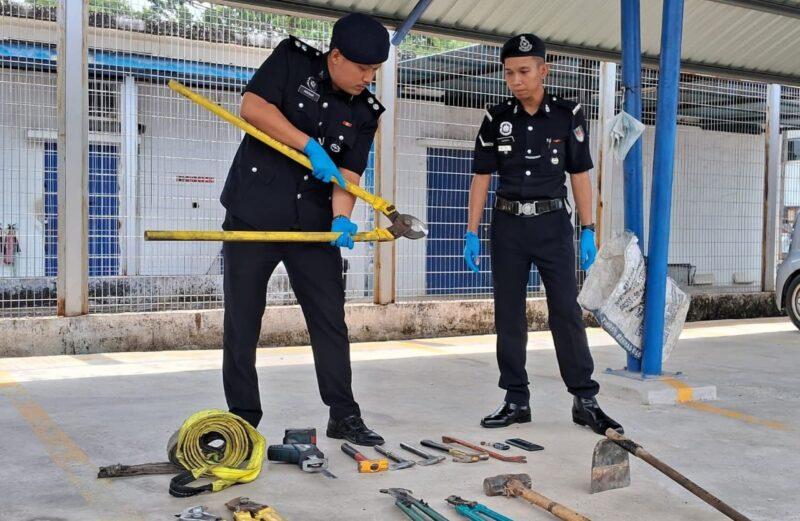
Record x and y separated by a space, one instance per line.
315 273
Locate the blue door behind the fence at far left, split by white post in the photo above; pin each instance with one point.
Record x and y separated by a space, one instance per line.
103 210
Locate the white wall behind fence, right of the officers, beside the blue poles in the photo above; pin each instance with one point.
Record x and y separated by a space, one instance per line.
717 201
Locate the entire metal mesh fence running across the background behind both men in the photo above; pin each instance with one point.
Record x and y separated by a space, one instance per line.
157 161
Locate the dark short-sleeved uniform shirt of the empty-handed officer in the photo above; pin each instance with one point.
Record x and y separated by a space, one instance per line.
532 153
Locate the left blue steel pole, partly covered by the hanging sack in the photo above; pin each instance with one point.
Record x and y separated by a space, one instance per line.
632 95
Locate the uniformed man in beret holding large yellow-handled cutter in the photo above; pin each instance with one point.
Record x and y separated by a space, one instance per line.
318 103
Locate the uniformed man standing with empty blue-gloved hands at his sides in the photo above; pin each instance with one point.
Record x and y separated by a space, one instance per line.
531 140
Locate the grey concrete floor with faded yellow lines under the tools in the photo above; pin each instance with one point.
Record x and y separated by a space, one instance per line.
62 417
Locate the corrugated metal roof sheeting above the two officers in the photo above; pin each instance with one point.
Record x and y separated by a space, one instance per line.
718 37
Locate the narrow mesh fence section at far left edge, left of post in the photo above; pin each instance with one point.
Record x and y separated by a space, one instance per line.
28 125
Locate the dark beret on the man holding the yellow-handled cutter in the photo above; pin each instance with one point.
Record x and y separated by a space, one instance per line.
361 39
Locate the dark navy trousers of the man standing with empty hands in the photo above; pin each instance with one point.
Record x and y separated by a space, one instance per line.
547 241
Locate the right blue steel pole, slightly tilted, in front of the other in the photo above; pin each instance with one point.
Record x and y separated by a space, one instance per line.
661 197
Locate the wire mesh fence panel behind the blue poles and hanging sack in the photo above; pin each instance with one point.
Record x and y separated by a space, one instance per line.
717 193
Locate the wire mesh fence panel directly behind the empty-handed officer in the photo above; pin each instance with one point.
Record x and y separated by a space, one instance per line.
444 87
